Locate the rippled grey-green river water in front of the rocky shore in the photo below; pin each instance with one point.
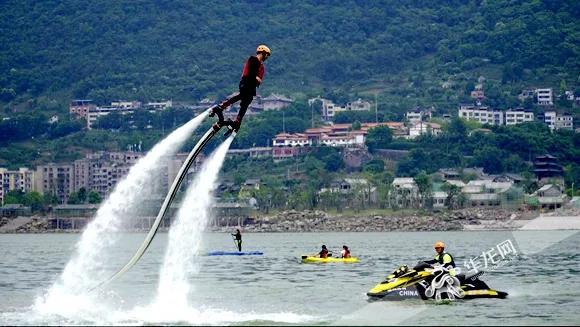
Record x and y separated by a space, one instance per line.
542 279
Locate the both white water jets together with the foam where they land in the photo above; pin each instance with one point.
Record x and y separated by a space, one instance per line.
68 301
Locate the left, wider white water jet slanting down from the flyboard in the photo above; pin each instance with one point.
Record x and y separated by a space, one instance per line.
87 264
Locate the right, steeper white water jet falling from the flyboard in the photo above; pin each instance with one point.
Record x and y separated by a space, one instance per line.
186 232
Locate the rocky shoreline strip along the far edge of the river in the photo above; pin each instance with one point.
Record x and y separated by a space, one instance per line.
361 221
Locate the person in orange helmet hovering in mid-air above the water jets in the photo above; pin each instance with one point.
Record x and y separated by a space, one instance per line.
252 76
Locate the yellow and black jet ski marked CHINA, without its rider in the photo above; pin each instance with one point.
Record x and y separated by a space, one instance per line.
431 282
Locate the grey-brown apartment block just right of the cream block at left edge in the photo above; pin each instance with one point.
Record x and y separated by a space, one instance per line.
57 179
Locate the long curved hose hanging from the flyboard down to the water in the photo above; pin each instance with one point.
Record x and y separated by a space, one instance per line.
166 203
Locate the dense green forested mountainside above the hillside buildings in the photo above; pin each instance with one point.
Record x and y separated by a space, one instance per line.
180 49
